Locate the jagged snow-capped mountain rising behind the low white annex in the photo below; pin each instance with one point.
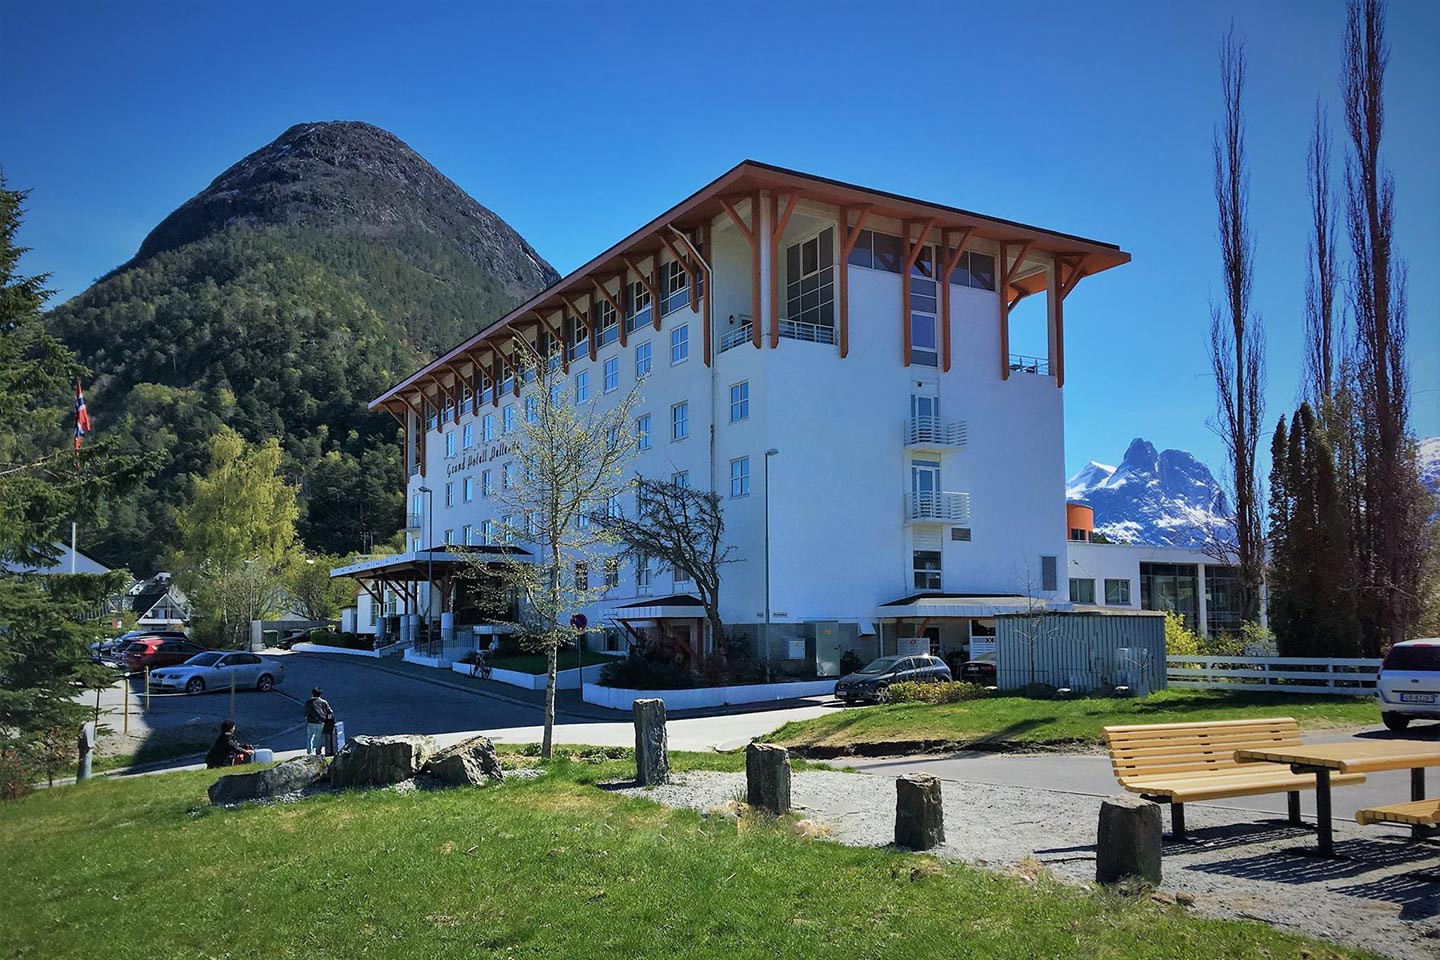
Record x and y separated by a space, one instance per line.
1167 499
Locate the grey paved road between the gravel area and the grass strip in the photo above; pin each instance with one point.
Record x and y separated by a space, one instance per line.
1091 775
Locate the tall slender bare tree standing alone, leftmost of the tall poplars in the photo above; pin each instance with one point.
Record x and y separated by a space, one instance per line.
1236 332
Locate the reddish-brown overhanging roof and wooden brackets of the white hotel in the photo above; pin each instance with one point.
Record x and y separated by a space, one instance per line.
678 231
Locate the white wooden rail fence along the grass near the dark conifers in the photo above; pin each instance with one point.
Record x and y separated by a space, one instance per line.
1275 674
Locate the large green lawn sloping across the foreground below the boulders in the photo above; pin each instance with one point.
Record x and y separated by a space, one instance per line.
546 869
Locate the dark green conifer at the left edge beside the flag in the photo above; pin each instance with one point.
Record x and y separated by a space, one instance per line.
44 486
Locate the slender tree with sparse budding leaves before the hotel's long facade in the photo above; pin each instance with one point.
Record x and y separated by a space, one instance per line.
570 464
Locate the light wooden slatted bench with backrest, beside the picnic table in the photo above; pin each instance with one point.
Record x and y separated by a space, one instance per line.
1183 764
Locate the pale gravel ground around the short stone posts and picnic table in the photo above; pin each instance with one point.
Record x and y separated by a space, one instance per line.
1245 869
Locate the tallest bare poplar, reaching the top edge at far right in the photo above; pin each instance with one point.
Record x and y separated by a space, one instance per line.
1396 548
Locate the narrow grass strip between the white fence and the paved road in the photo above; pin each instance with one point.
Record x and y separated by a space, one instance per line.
1055 722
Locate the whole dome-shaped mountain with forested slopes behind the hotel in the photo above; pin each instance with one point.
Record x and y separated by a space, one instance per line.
297 287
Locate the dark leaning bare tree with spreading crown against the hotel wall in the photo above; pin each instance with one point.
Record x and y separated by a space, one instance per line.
685 529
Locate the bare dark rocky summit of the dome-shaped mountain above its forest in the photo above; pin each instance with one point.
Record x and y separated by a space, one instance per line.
356 179
